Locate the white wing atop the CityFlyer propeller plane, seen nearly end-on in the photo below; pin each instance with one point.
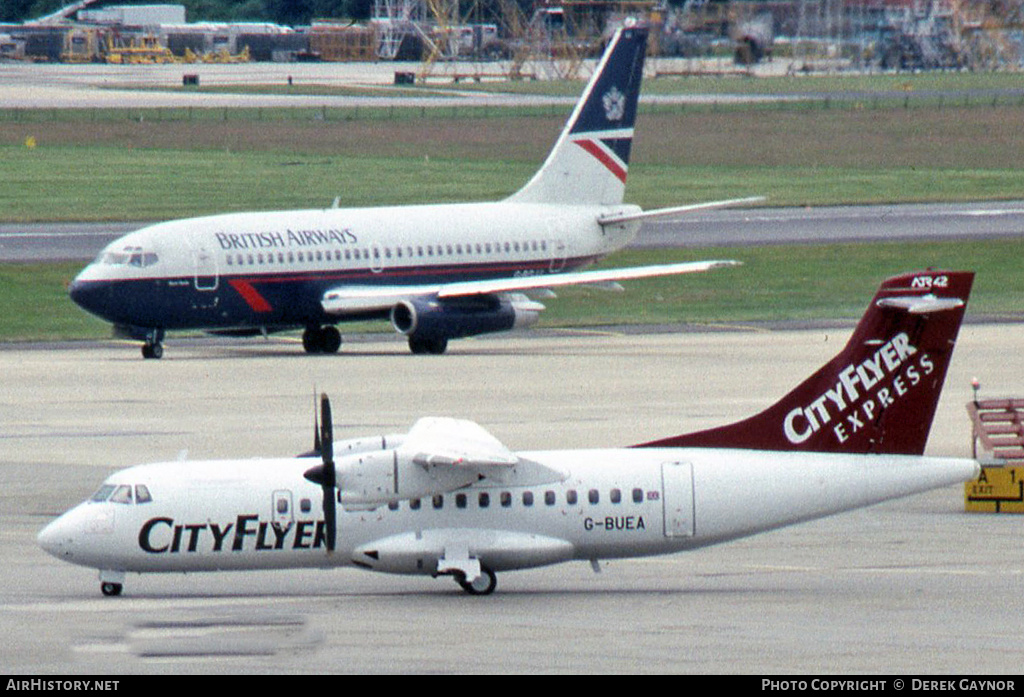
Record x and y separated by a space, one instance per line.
439 442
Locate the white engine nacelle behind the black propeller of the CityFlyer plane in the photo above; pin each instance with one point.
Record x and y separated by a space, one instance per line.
373 480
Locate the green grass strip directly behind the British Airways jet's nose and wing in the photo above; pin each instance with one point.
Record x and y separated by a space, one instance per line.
776 284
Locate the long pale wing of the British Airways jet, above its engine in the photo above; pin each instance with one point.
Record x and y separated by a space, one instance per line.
369 298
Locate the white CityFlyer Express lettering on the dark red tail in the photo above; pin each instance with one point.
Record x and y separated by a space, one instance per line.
862 394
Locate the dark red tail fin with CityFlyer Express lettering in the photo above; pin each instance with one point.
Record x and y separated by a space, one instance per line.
880 394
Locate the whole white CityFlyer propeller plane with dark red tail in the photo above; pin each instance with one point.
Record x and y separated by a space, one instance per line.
448 499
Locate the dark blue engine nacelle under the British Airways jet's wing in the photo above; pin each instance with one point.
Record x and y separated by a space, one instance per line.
464 317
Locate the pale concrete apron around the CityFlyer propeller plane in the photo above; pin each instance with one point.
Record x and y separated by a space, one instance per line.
908 588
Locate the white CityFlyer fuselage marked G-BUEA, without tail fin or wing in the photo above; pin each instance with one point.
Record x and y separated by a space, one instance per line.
263 514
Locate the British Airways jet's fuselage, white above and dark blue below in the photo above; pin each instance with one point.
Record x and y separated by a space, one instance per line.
273 270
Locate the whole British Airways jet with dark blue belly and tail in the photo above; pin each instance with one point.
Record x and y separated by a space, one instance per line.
439 272
